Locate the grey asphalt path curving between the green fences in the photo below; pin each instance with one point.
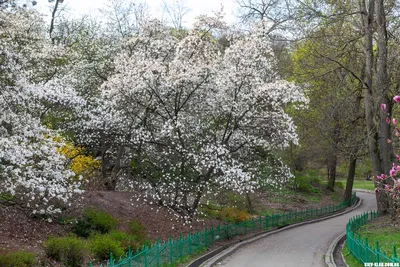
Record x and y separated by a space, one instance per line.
297 247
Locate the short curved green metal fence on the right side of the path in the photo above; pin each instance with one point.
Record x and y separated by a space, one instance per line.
360 248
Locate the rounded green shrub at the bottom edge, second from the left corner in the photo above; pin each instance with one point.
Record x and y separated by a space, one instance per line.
70 250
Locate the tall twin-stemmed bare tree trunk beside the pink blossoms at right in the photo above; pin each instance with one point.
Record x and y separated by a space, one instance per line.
377 140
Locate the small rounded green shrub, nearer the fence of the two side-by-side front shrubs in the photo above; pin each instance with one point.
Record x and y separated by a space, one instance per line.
103 245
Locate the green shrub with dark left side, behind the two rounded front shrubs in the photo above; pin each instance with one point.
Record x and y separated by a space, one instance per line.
94 220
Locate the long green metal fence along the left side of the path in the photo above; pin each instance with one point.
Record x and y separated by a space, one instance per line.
173 250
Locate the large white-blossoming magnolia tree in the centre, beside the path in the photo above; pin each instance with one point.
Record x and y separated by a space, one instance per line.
193 116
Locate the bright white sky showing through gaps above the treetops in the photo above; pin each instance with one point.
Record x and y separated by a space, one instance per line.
197 7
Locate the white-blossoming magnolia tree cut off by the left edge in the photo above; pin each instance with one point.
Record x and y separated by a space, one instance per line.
32 173
